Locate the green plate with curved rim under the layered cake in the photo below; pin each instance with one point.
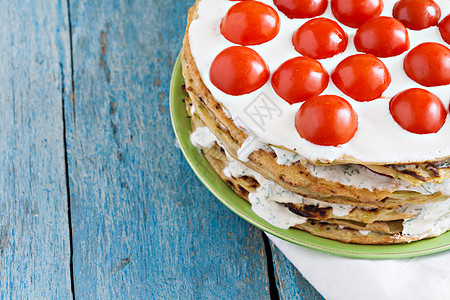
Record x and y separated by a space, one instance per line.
212 181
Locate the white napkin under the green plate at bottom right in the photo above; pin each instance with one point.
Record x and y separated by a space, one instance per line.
337 278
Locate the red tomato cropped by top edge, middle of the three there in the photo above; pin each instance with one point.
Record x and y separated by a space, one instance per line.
354 13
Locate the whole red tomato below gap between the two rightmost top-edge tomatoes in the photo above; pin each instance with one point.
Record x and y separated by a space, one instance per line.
382 37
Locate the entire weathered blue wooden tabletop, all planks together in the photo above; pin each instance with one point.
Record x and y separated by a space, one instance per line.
96 200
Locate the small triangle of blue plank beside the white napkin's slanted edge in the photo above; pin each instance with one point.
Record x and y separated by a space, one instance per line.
291 284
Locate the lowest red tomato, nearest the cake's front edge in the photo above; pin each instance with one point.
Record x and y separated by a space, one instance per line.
326 120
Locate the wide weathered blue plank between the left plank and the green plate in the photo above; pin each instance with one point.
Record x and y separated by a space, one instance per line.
143 225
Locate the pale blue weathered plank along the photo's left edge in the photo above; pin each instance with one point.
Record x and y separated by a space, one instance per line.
35 69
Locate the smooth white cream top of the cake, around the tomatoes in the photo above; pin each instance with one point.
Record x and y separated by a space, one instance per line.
270 119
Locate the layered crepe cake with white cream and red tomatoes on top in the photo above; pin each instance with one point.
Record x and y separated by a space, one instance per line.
321 116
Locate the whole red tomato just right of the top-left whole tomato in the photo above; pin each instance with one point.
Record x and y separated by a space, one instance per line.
320 38
